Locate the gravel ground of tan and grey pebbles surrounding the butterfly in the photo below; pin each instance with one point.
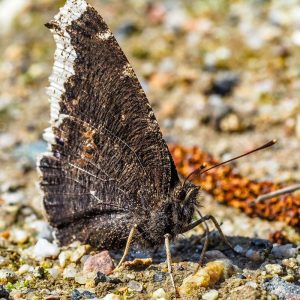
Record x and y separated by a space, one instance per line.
220 75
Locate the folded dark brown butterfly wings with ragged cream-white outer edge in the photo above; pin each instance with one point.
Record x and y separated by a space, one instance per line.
107 159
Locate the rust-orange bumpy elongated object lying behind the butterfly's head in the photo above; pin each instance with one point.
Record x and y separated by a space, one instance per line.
229 187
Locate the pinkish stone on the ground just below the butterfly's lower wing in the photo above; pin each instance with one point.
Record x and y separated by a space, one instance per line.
100 262
